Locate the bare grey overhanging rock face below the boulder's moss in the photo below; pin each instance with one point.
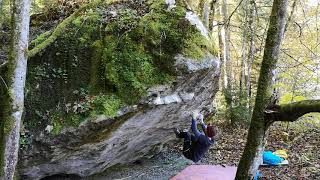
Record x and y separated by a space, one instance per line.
136 132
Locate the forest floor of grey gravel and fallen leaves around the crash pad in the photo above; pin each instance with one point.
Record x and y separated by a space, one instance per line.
300 139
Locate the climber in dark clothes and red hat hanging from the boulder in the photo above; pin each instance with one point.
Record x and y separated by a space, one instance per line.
197 144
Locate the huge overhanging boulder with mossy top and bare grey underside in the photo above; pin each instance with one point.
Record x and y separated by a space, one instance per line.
143 57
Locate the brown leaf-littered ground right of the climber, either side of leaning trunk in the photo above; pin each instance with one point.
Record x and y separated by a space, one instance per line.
301 140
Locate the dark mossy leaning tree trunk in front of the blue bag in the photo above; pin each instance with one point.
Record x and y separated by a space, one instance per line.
252 154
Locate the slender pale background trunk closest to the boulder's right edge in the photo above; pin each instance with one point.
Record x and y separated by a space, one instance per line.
228 69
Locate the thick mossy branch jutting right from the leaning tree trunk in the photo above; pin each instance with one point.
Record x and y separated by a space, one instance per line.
293 111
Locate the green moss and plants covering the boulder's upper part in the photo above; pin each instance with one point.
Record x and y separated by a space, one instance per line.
119 50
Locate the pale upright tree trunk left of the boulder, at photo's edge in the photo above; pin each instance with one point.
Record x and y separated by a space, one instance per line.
14 101
